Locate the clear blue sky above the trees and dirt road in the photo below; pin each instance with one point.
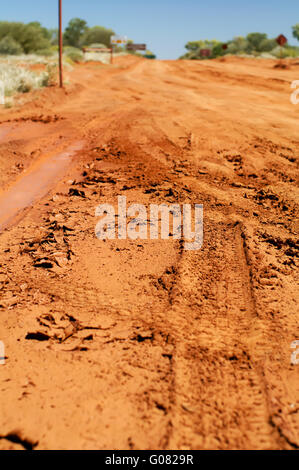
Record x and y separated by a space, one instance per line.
166 25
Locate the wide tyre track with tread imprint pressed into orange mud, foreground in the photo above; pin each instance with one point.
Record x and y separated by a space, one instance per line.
211 312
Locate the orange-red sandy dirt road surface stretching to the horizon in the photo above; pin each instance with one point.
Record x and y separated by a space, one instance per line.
124 344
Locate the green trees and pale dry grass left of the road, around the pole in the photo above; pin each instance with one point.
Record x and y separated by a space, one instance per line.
25 46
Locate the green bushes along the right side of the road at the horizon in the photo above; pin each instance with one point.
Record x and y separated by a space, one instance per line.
253 45
